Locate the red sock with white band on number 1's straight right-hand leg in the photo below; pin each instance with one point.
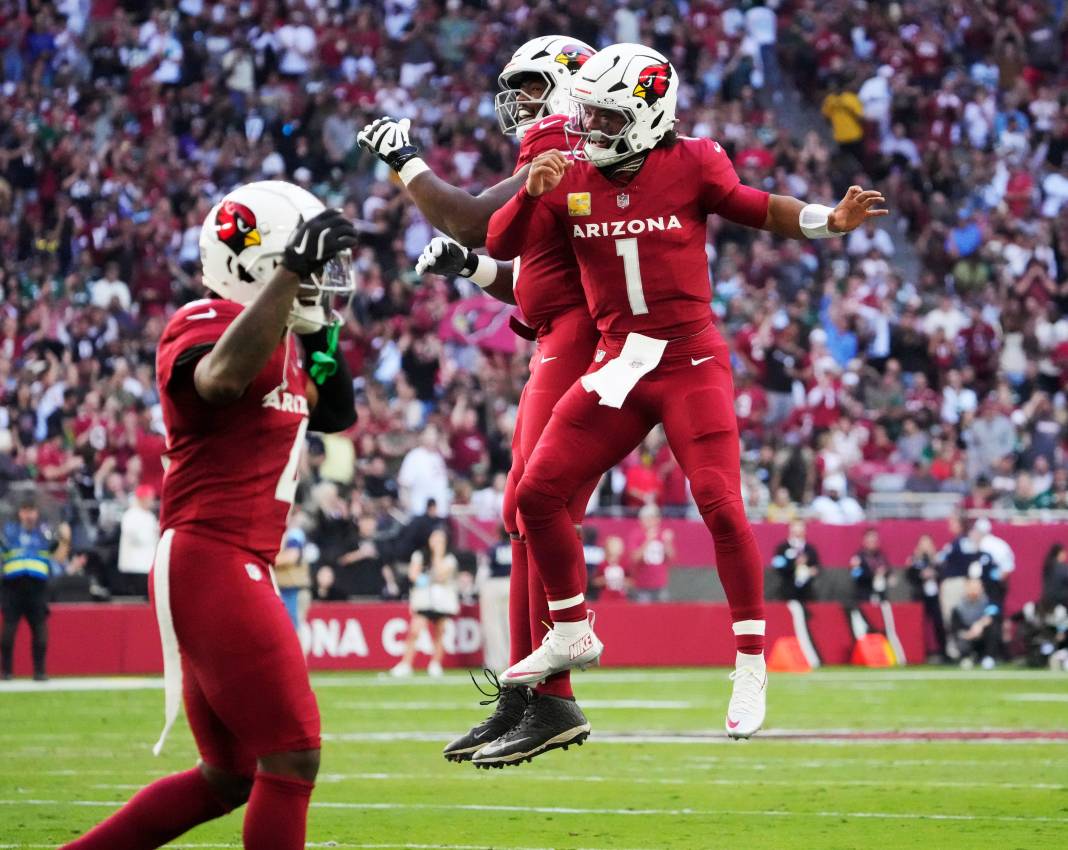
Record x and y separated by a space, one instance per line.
742 574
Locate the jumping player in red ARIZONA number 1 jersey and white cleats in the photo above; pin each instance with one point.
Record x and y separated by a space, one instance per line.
634 203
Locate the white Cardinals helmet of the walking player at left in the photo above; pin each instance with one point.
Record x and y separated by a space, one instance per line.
243 241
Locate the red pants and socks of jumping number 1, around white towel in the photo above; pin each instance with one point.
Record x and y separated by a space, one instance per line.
692 393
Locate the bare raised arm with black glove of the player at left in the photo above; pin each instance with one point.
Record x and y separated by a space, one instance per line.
225 373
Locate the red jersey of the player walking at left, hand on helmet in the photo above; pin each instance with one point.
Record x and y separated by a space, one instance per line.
231 469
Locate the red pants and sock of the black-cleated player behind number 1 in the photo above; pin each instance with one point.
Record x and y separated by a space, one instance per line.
564 353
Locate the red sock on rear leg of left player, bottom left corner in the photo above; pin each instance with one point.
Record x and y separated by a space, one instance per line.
158 814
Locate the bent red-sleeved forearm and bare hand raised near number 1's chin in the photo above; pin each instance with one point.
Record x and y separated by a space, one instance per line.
524 222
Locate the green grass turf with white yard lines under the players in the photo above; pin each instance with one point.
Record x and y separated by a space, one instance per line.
59 748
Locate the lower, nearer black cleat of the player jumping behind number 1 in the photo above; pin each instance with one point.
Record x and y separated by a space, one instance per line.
548 723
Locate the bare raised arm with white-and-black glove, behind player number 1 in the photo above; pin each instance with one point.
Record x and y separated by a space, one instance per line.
454 212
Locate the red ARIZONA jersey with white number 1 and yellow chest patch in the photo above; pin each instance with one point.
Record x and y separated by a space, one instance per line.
641 247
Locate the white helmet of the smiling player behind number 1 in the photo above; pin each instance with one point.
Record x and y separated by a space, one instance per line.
553 58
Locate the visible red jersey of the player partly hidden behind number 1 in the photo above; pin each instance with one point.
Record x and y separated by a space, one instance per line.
548 280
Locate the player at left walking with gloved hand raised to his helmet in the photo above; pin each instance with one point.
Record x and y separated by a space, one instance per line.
237 406
